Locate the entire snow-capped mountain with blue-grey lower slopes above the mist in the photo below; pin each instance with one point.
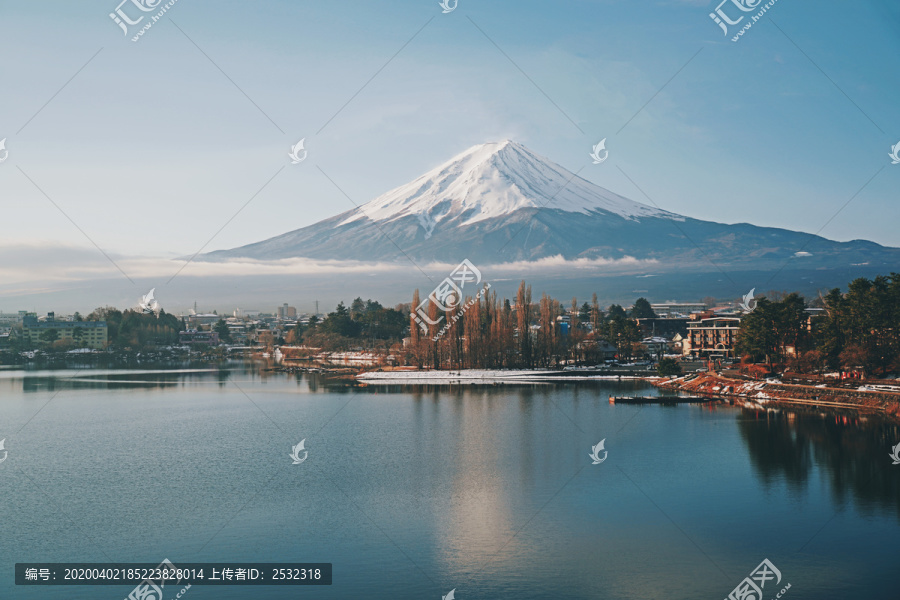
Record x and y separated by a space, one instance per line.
500 202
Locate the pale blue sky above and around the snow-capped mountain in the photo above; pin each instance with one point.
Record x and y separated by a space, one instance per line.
150 149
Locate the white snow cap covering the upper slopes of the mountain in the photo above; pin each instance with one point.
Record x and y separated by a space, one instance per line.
494 180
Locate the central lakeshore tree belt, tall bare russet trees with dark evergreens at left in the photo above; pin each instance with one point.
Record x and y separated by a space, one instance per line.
485 335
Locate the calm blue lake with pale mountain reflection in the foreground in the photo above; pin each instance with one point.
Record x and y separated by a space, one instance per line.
413 491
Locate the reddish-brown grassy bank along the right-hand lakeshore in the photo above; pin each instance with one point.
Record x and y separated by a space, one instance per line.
764 392
